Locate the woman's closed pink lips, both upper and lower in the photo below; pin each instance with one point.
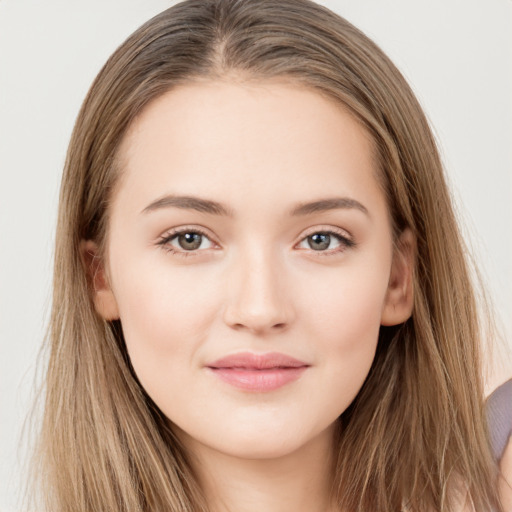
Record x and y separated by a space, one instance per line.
258 372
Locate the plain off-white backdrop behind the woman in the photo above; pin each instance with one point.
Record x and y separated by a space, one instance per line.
457 54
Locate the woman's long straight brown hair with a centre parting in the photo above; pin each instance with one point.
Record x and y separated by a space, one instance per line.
416 427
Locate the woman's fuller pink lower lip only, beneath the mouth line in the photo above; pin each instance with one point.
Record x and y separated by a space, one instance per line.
259 380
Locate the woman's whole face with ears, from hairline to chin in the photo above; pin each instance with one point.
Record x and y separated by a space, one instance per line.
250 261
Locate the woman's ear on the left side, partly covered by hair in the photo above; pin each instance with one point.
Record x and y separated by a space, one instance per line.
102 294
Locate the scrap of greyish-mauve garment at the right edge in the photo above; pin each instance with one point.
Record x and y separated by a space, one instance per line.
499 416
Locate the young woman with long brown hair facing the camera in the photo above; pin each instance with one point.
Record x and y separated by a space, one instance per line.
261 298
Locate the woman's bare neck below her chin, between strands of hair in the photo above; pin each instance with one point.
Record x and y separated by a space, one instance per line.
300 481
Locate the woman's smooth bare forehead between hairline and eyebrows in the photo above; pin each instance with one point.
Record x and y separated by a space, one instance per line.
243 142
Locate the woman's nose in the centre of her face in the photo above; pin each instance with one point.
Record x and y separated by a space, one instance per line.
258 298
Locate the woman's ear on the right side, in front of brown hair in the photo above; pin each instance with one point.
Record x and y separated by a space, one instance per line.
399 299
